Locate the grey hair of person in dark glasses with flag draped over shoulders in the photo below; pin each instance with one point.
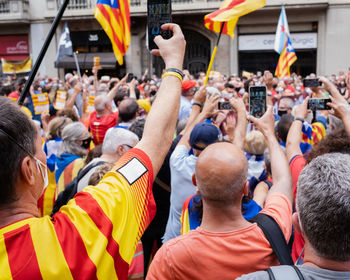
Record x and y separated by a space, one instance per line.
73 132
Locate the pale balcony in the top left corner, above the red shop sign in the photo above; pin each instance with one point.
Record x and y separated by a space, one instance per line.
14 11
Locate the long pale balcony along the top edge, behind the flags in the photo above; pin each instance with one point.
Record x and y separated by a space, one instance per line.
85 8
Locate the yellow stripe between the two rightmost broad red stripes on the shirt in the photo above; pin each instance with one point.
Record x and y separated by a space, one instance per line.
94 242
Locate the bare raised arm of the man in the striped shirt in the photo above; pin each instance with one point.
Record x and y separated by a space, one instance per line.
161 120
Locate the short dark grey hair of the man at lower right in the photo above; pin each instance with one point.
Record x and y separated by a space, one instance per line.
323 204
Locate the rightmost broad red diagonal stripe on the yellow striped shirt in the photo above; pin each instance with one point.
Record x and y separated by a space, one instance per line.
86 202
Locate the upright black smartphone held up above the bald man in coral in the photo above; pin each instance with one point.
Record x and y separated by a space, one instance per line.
257 101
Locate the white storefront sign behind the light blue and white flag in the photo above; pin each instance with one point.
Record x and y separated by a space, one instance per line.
267 41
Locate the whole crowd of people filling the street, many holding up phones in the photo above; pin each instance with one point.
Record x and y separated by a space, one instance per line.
166 184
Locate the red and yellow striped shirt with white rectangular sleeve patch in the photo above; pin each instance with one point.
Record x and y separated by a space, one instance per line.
93 237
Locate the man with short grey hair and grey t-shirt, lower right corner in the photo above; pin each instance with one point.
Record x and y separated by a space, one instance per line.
323 219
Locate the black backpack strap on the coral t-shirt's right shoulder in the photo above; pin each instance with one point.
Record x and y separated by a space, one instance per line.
274 235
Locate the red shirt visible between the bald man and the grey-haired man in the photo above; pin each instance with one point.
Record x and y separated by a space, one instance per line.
296 165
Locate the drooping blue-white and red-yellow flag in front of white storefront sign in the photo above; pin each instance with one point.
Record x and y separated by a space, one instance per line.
283 46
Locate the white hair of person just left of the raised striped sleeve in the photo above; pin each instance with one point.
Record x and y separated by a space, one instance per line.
116 136
